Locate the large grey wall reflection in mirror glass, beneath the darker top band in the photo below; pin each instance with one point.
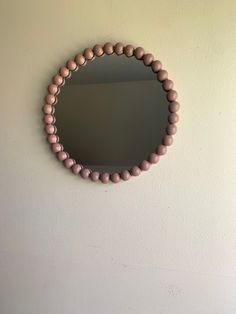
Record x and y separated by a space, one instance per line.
132 113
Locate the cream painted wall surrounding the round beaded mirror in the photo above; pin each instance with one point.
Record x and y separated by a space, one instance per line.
164 242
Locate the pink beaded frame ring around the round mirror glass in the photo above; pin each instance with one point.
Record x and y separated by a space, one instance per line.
81 60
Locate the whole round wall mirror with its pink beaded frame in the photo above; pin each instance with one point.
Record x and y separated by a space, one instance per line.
115 115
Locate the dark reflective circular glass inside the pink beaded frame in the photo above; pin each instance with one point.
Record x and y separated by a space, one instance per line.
111 114
